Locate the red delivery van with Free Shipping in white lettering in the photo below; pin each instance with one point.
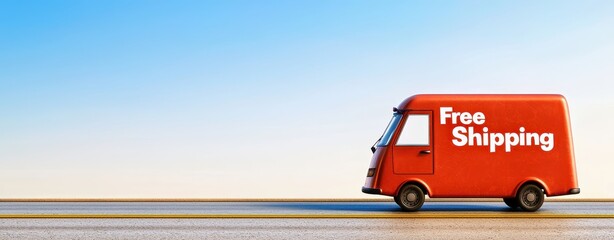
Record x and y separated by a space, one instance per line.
515 147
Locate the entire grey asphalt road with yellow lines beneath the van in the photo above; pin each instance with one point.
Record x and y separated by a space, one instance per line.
301 220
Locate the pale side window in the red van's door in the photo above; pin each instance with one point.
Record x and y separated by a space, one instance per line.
415 131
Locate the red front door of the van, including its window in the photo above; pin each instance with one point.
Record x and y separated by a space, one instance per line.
413 151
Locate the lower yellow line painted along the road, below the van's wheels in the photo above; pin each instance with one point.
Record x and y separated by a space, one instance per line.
231 216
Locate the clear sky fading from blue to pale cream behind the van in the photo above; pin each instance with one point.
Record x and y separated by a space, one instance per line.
271 98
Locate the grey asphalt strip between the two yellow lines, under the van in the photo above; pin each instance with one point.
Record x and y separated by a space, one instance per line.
296 208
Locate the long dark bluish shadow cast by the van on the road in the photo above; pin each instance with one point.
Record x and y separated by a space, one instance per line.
382 207
